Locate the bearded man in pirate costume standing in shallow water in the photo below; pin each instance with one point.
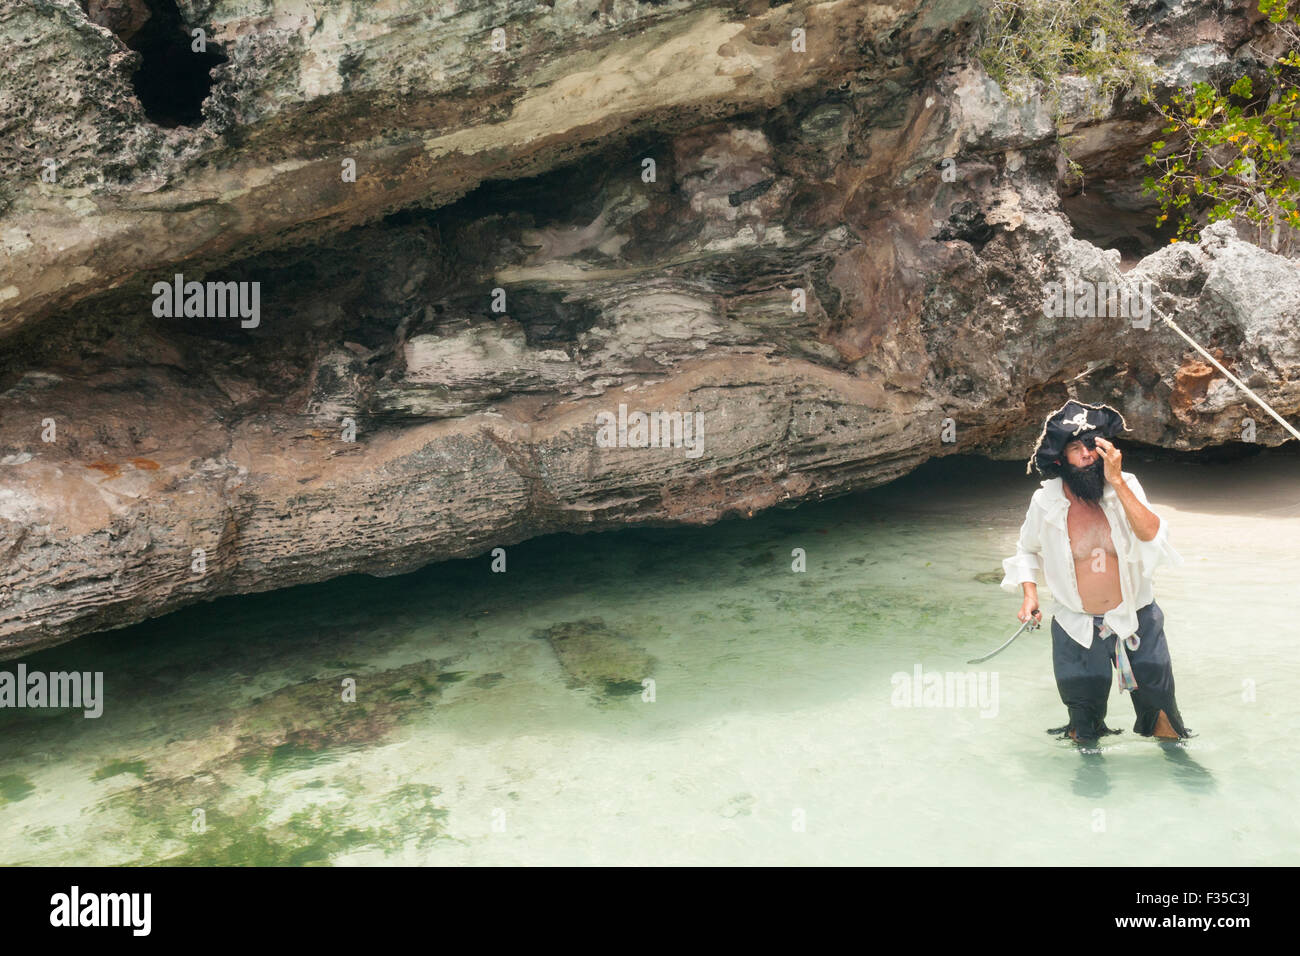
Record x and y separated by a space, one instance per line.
1091 533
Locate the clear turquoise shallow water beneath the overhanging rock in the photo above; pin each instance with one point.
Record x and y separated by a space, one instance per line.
501 719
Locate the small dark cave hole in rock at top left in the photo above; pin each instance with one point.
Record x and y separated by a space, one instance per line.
174 79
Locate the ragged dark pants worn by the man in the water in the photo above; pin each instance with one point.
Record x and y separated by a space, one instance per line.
1085 677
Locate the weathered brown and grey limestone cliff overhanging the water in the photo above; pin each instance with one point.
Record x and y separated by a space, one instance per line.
839 263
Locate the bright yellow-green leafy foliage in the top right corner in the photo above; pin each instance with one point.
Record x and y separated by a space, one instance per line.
1233 152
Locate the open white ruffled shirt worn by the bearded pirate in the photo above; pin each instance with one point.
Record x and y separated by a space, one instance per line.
1045 544
